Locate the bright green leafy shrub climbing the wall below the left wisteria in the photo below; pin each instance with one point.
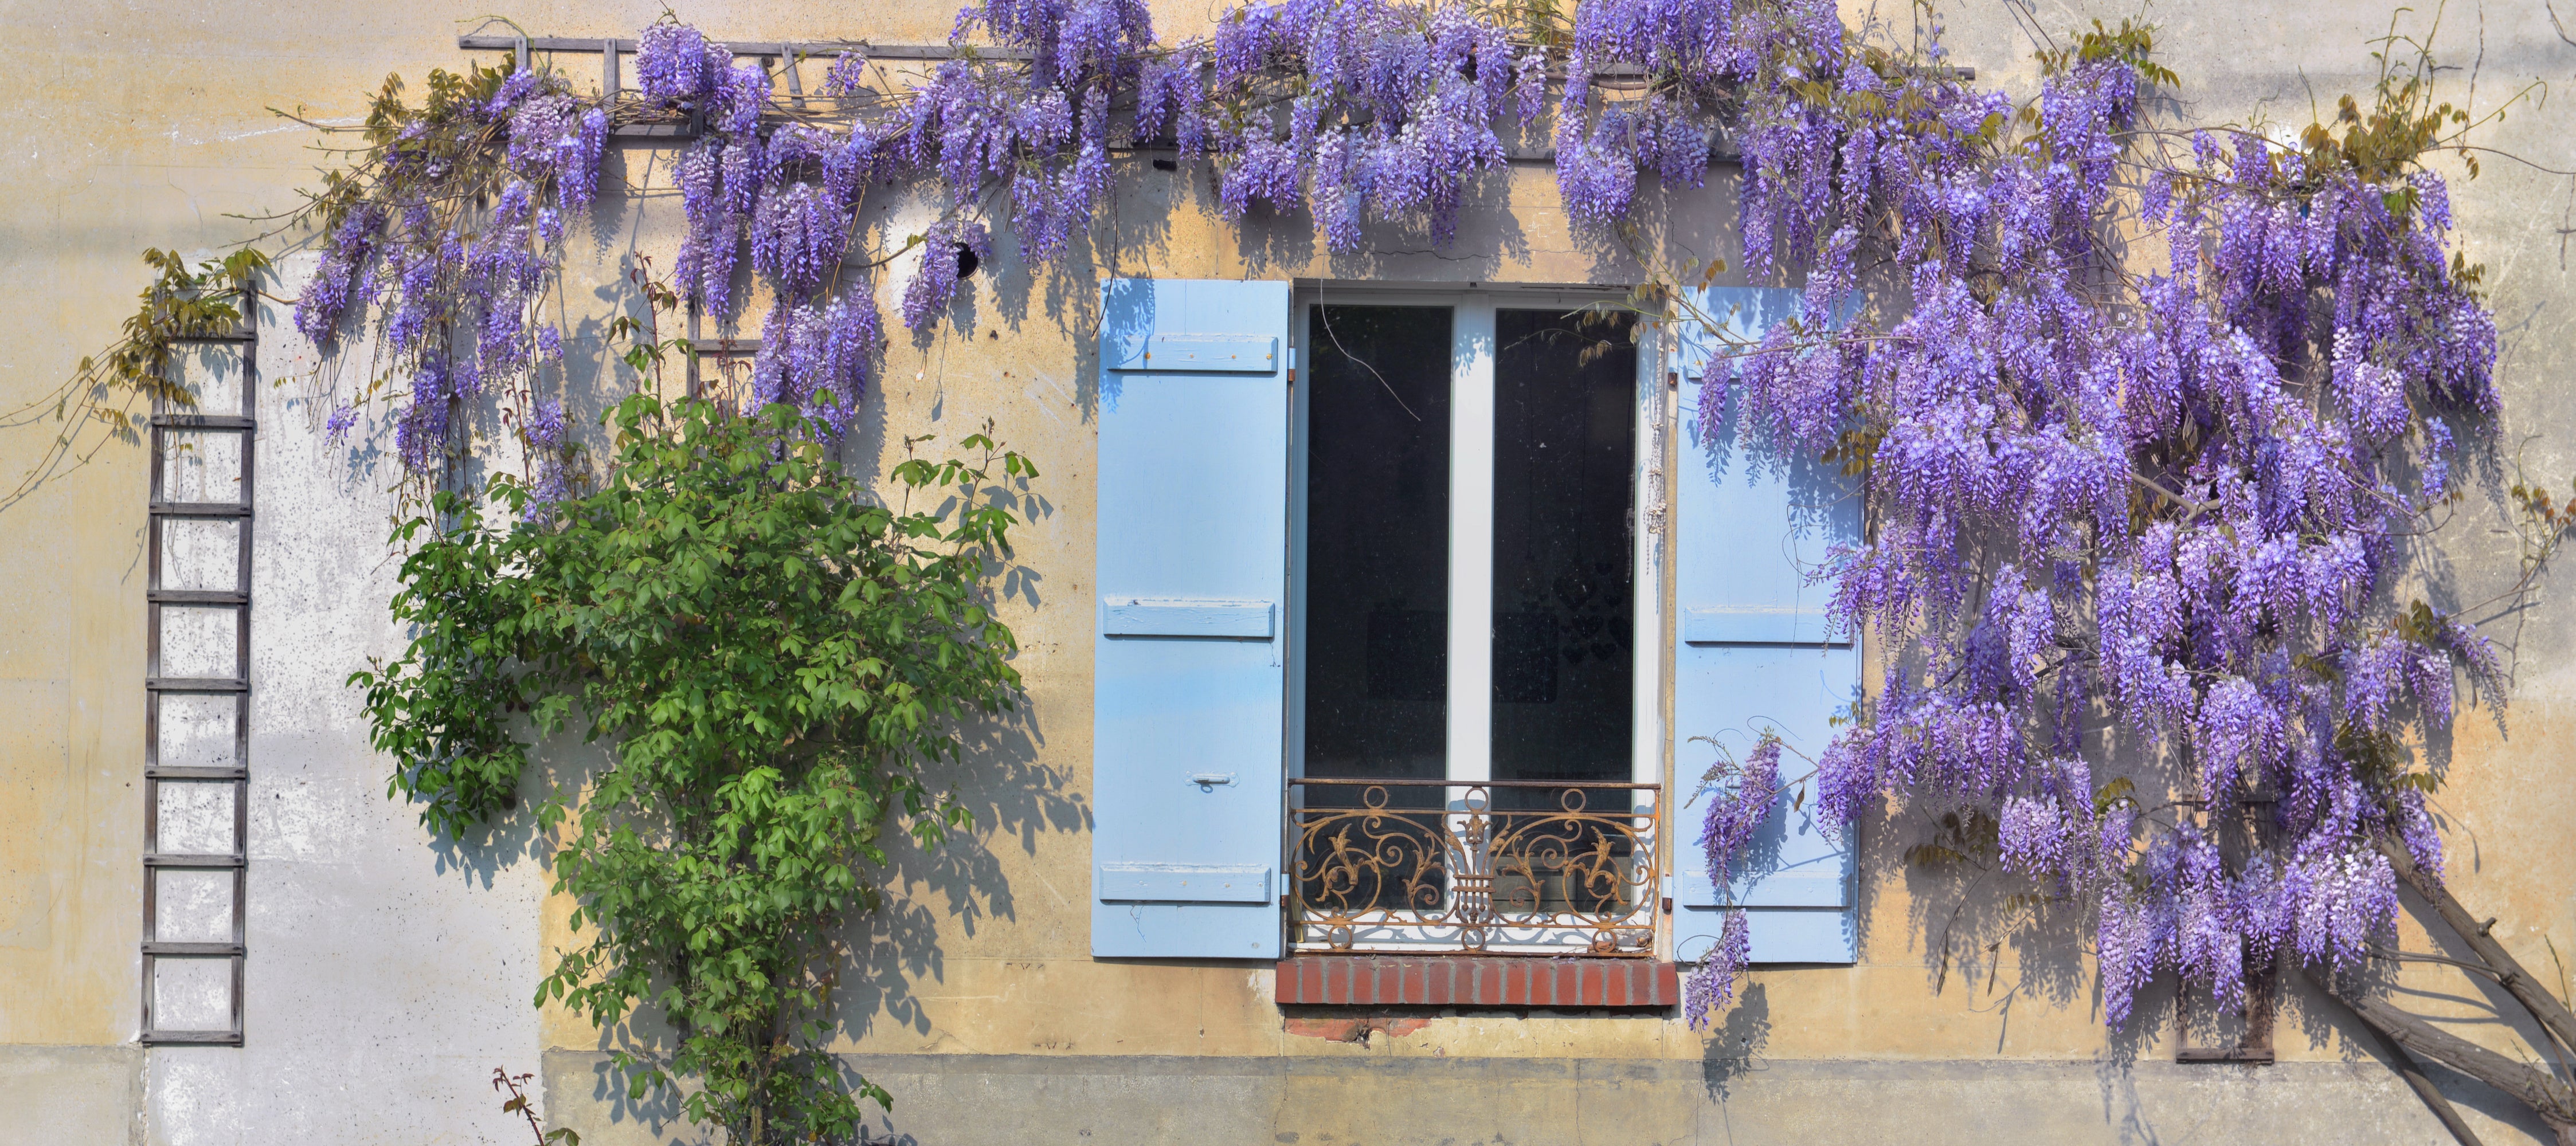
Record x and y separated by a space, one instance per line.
779 668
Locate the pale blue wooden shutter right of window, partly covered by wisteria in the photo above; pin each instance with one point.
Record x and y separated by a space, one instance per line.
1753 655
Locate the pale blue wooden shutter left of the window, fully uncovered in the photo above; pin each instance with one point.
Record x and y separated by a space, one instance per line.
1194 570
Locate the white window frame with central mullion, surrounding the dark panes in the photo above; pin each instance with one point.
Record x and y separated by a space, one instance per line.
1470 751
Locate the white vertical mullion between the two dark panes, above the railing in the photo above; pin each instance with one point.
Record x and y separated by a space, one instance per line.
1472 545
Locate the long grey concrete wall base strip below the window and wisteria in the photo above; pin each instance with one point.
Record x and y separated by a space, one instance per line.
1377 1101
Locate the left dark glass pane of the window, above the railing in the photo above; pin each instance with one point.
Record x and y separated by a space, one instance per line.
1377 547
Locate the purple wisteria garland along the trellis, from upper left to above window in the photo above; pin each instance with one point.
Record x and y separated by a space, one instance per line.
1354 109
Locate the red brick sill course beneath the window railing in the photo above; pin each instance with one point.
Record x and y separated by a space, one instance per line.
1477 982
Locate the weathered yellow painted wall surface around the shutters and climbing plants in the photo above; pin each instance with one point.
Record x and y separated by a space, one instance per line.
146 127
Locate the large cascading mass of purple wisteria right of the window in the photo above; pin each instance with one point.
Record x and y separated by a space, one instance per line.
2145 519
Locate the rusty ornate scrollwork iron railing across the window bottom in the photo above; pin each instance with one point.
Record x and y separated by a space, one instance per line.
1501 867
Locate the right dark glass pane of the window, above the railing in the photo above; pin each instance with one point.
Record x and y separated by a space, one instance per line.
1565 614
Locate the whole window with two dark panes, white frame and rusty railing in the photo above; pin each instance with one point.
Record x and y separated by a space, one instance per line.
1464 630
